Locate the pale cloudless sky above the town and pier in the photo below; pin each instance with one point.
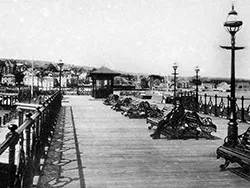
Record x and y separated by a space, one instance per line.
139 36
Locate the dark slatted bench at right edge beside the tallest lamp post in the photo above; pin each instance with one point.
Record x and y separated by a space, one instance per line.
239 153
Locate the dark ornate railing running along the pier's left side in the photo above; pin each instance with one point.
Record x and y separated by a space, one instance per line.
27 142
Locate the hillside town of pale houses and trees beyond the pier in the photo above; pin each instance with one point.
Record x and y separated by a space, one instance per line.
45 75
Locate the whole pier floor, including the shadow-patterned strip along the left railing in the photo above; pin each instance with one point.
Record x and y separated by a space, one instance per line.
95 146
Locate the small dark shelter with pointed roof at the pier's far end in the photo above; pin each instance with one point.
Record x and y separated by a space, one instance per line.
102 82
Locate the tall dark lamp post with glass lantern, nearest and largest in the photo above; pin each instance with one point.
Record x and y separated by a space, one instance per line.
232 25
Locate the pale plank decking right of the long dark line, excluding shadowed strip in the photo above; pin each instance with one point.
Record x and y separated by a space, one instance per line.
116 152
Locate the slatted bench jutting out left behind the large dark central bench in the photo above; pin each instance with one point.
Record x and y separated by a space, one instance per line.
154 121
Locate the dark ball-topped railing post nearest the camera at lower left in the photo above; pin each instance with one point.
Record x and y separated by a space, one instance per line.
11 167
